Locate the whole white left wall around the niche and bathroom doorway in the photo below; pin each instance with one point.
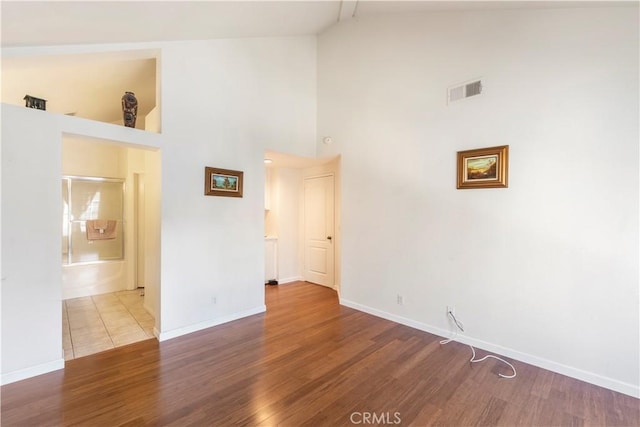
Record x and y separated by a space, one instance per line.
223 102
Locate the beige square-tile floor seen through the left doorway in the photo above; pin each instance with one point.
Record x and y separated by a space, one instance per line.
102 322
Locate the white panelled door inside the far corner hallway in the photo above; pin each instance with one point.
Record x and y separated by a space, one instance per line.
318 230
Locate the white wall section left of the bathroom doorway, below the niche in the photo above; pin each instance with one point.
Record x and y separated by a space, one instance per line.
31 268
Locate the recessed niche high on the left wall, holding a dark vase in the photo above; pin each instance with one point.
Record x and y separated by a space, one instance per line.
87 85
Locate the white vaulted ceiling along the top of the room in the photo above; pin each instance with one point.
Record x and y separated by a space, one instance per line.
81 22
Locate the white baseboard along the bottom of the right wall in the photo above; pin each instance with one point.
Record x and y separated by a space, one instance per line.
590 377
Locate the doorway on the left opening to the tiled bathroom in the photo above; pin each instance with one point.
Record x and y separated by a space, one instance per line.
109 301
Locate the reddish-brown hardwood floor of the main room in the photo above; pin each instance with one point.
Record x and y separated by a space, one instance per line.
307 362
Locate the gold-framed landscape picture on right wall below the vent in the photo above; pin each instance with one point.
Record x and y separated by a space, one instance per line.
483 167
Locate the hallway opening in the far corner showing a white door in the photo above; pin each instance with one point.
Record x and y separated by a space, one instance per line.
303 255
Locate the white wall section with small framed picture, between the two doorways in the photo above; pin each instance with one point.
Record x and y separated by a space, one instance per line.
223 102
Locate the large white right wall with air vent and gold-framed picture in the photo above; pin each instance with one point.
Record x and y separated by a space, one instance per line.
545 271
